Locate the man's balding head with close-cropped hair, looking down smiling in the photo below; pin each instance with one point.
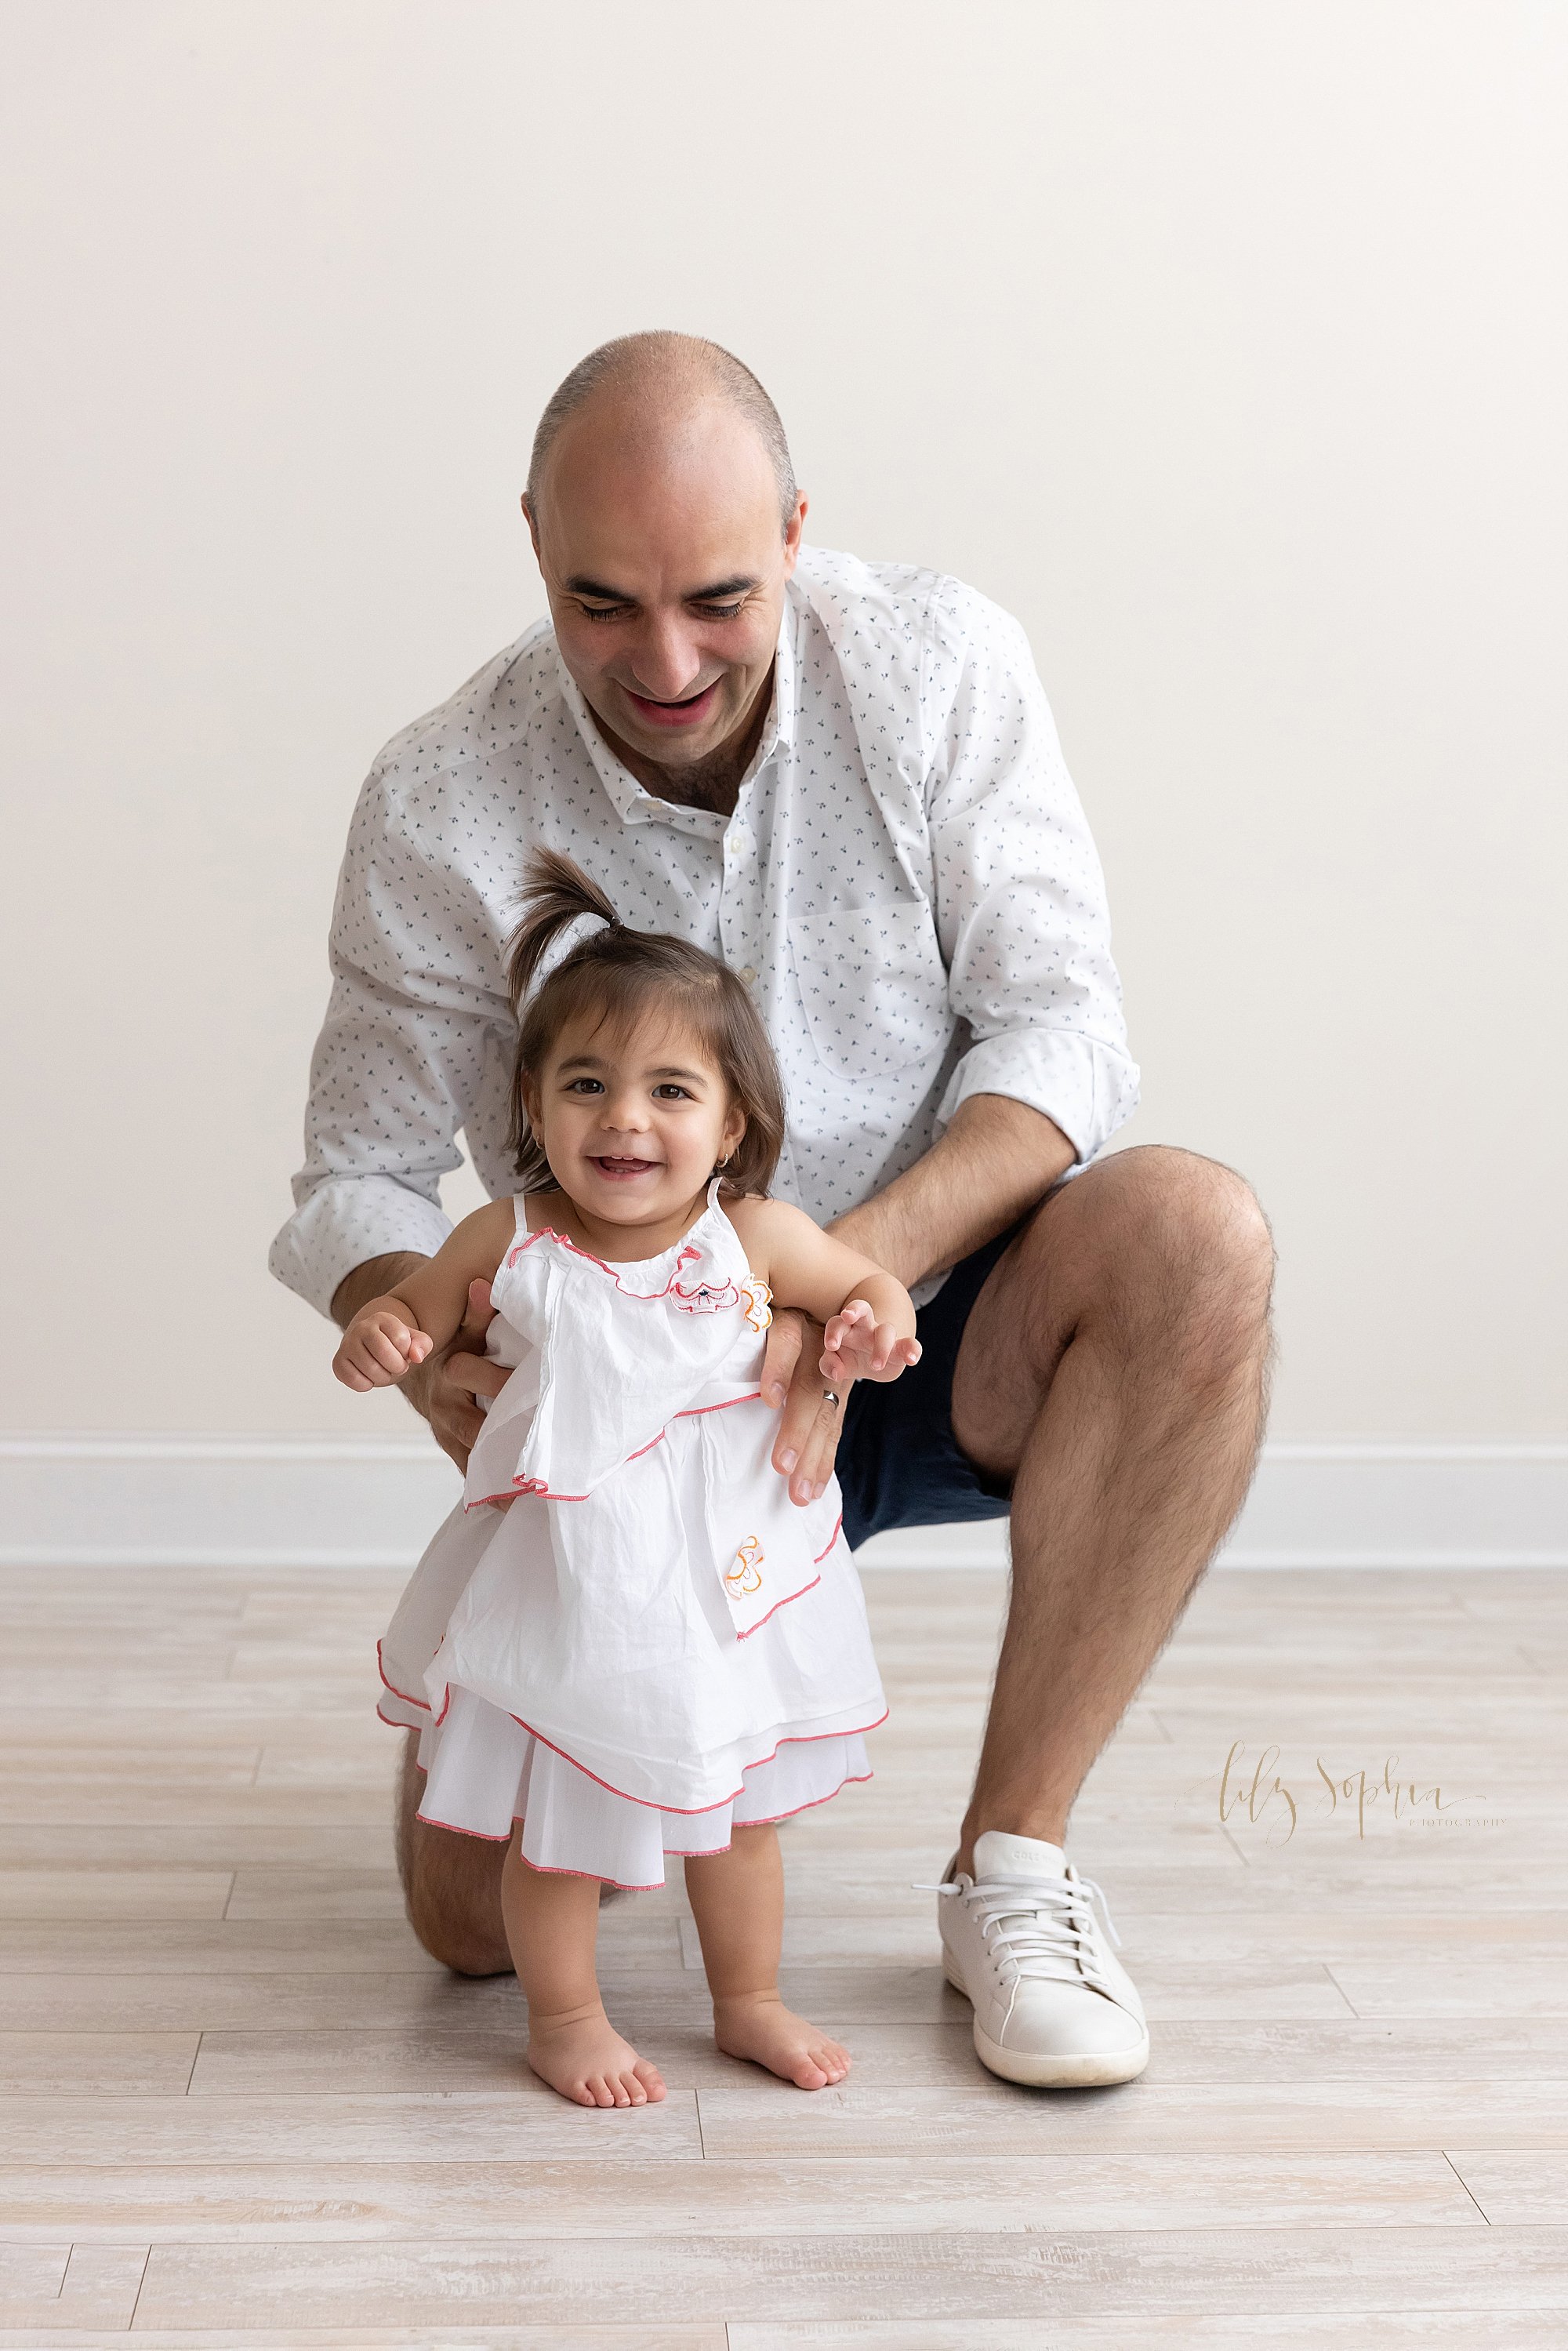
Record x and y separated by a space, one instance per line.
666 523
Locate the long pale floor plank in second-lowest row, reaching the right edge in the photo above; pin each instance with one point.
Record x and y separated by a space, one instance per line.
904 2277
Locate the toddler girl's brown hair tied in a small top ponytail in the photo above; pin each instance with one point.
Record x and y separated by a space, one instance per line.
622 974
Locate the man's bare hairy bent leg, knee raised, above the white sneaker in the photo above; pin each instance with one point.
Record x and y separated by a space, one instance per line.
1115 1365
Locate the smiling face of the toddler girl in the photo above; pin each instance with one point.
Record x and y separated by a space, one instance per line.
634 1125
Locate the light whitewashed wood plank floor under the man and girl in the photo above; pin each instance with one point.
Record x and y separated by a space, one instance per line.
243 2108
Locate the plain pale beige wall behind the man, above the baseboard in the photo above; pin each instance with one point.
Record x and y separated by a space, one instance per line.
1221 342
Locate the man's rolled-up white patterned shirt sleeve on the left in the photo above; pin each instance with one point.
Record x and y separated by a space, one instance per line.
401 1061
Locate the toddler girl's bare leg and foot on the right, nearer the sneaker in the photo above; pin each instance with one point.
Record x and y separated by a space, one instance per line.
737 1901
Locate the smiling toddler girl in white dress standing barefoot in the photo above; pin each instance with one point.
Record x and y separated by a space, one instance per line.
629 1640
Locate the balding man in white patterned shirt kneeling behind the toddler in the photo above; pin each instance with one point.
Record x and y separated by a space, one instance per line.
845 782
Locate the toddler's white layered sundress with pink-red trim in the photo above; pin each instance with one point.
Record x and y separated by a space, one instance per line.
652 1642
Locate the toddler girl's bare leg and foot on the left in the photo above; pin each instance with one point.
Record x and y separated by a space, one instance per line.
551 1927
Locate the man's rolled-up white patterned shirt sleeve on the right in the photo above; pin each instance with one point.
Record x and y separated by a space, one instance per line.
1021 897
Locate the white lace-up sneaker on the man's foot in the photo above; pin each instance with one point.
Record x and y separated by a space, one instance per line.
1021 1941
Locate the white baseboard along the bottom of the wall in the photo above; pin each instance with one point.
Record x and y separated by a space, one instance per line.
370 1503
